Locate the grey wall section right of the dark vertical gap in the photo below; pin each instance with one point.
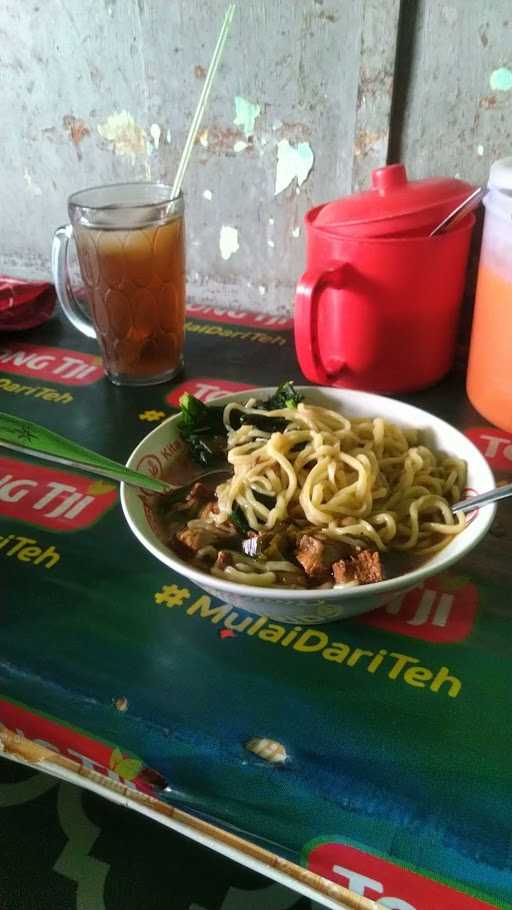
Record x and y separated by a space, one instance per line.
457 117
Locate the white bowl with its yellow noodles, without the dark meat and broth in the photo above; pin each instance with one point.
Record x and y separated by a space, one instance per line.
355 465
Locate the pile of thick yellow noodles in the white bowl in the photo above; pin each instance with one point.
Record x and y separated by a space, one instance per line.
356 480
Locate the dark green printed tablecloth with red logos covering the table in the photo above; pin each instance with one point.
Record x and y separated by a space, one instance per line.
393 789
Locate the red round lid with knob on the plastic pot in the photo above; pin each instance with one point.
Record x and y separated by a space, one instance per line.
393 197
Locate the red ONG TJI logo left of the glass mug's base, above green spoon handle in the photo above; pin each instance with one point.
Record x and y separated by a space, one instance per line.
56 364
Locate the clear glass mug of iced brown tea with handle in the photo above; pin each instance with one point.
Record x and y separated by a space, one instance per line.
130 241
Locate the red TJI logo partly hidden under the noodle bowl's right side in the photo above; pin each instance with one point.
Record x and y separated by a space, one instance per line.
442 610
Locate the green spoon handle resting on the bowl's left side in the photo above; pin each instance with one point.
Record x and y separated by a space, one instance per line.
32 439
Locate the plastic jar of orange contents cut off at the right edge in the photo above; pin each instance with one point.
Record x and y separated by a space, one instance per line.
489 379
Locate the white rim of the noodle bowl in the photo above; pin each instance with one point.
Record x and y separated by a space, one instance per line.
395 584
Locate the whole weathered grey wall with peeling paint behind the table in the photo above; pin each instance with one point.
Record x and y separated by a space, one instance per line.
97 92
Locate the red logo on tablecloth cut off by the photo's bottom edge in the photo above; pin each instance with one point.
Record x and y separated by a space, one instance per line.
387 884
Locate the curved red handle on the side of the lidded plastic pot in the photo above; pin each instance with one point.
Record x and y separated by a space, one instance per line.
307 295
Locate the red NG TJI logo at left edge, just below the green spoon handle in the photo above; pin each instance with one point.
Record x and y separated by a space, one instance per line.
59 500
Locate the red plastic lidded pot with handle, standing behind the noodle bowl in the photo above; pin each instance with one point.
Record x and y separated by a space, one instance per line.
377 308
